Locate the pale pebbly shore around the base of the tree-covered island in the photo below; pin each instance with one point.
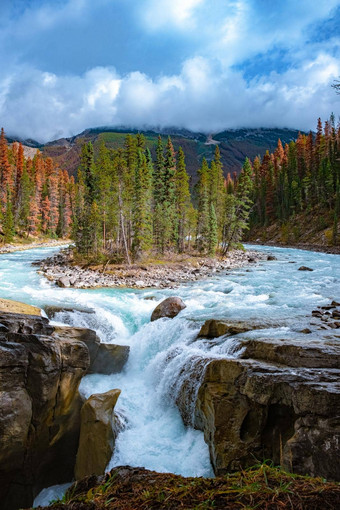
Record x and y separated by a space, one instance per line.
62 269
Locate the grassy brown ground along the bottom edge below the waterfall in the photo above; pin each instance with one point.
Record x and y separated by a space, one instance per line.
129 488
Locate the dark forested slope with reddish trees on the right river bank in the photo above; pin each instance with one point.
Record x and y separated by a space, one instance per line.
296 194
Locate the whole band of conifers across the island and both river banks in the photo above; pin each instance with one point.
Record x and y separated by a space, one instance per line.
127 203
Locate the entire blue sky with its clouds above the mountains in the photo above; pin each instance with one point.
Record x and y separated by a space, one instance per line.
205 65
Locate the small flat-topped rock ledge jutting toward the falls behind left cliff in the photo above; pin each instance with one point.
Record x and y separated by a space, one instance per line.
104 358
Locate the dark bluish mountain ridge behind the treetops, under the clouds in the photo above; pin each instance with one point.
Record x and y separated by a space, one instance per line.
235 145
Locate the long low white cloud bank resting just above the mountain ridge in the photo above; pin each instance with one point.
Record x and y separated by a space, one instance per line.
201 98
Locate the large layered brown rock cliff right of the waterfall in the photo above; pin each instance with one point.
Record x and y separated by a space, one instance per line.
279 400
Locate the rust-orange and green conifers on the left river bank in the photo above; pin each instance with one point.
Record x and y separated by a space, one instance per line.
35 195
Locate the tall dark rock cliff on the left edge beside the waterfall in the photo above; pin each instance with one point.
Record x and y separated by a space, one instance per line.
39 407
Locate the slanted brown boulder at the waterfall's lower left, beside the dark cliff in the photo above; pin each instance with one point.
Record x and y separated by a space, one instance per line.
97 434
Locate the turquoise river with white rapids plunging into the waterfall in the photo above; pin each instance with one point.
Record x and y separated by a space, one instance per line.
165 352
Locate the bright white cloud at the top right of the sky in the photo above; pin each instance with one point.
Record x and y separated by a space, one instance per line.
245 30
